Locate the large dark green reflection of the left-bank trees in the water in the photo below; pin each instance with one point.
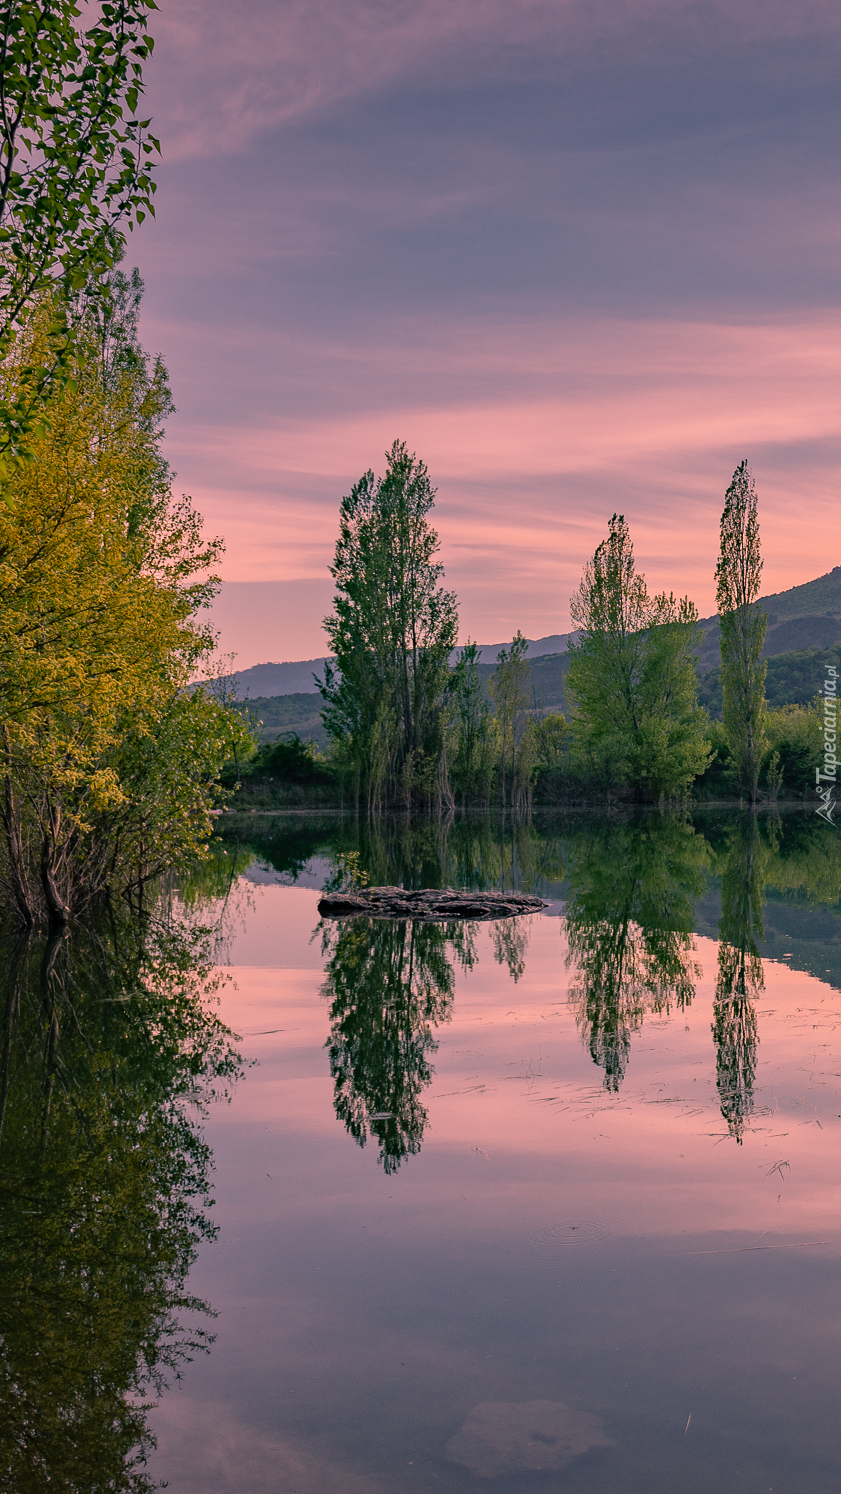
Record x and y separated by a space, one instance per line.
110 1054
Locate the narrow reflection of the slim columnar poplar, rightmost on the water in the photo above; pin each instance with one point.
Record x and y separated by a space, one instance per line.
740 973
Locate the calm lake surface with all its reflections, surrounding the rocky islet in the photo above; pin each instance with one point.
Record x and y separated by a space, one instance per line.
550 1205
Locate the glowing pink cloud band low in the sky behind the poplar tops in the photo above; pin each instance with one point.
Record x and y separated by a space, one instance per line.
565 424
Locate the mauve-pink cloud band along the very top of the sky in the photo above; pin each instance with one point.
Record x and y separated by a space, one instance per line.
225 74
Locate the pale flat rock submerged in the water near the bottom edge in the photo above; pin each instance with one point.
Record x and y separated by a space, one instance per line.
524 1436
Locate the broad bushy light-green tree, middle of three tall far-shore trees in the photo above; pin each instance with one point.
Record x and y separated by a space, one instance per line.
633 678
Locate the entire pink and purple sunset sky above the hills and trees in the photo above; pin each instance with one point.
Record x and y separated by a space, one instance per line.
559 255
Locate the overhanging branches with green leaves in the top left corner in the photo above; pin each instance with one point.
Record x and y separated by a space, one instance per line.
74 164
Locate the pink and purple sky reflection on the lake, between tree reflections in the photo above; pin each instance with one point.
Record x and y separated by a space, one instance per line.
621 1257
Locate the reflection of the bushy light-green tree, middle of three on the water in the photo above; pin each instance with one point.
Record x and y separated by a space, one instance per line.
630 921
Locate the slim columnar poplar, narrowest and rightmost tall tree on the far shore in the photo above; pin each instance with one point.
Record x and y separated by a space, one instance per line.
743 628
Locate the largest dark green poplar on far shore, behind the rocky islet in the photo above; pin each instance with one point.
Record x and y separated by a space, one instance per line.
392 633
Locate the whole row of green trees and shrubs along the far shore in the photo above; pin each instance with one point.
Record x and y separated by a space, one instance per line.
407 730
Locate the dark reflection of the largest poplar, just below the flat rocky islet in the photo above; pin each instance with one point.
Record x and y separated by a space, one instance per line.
389 985
